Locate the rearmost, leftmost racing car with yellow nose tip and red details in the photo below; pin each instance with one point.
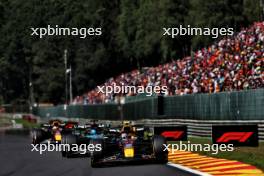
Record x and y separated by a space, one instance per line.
51 131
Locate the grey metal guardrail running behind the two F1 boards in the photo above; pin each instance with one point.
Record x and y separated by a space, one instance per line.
202 128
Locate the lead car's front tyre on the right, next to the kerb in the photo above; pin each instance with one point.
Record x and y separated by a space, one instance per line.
158 149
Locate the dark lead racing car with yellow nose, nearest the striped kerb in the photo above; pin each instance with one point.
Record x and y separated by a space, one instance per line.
129 144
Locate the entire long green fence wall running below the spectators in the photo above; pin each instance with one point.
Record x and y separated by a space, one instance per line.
242 105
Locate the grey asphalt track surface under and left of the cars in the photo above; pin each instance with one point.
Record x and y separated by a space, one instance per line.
16 159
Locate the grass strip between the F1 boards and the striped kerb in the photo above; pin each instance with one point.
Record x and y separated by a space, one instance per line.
249 155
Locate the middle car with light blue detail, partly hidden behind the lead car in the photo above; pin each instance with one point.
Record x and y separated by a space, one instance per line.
76 142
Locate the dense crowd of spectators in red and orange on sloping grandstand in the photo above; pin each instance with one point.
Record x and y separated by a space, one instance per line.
231 64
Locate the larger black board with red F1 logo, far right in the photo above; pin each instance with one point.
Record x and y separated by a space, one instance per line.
239 135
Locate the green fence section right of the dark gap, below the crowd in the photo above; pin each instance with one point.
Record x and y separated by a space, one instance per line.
243 105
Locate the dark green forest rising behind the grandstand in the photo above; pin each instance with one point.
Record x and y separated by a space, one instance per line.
132 38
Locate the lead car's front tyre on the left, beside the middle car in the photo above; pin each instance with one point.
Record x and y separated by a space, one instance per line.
96 155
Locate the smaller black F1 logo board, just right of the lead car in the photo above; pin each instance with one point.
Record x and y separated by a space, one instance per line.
173 133
